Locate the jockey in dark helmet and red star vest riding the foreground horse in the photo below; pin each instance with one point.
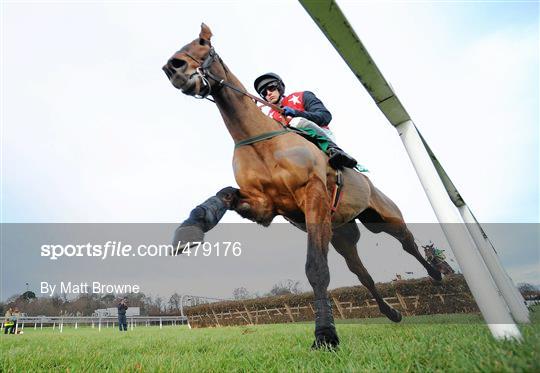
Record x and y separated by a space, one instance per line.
302 110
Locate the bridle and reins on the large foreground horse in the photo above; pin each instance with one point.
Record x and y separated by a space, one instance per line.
203 71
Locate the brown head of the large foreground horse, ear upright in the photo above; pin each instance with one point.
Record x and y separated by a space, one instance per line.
185 69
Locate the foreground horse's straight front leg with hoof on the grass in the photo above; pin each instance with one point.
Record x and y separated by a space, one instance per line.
319 230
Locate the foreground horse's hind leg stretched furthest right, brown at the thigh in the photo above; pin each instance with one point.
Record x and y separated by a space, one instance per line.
384 216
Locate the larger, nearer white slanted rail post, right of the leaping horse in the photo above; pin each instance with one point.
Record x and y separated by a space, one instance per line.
476 274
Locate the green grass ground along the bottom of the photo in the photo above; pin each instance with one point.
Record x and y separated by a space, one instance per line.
417 344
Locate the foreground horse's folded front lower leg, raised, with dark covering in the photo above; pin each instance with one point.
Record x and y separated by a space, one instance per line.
203 218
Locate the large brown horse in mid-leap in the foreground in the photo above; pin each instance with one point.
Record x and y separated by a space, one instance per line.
281 173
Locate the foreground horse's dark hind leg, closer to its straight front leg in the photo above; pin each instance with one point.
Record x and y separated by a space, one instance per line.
344 241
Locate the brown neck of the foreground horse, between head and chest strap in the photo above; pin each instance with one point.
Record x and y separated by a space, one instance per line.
241 115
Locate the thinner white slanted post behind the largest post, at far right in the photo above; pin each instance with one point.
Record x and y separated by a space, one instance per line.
511 295
